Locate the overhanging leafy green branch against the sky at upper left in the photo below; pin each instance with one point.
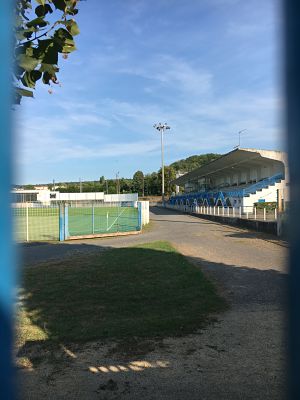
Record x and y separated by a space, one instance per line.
38 42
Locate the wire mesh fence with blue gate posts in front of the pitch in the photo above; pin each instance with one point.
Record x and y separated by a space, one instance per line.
59 221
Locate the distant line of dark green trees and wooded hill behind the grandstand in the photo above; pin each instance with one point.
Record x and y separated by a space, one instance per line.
144 184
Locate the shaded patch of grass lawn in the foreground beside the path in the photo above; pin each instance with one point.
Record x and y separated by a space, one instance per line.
146 291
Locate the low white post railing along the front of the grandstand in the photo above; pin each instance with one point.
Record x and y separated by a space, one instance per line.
244 212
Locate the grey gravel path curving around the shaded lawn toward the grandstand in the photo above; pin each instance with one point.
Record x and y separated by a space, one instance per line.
240 356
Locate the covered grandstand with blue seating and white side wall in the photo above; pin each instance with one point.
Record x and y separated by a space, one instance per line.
240 178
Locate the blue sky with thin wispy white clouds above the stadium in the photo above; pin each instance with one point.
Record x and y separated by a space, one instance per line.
209 68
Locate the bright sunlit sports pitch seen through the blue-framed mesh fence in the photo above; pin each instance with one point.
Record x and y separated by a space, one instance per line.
43 223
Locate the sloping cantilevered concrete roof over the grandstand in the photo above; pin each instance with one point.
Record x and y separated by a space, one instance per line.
238 158
